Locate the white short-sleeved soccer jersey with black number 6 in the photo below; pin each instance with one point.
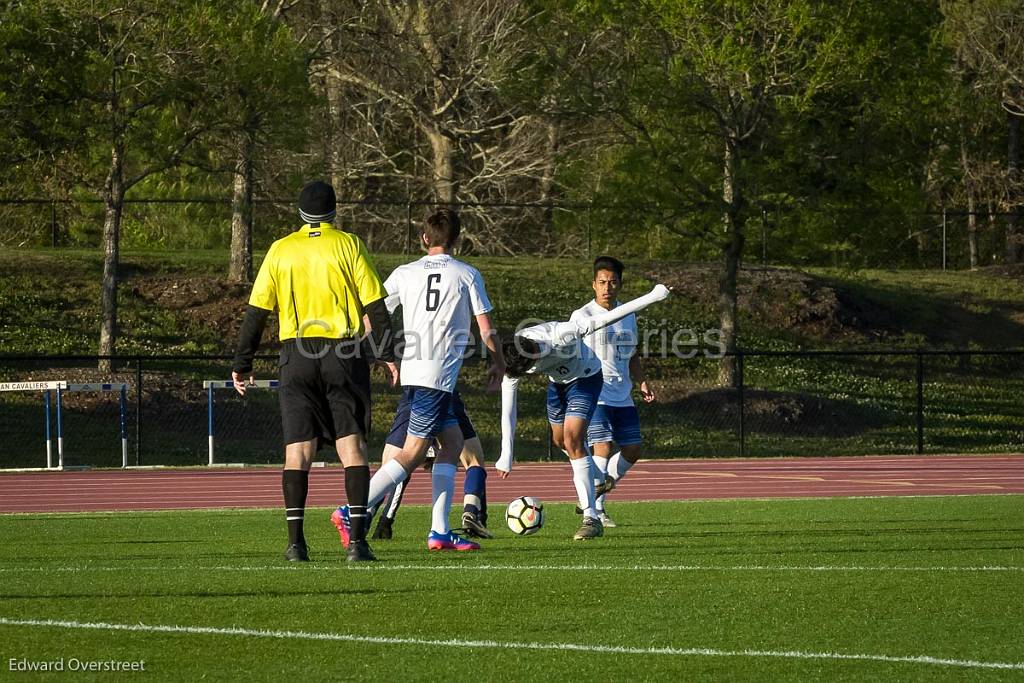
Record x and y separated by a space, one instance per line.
440 296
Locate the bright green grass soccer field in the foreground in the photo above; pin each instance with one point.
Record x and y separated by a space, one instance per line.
838 589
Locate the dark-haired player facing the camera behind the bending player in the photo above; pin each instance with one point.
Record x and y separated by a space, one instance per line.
616 421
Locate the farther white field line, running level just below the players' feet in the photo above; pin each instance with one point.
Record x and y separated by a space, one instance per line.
516 568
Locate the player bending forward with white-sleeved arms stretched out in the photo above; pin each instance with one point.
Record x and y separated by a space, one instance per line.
557 350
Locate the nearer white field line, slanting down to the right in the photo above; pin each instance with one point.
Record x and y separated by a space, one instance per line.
506 646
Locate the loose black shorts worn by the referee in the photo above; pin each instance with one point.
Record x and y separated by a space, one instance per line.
325 391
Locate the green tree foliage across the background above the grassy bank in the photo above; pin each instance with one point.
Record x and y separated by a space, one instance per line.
850 116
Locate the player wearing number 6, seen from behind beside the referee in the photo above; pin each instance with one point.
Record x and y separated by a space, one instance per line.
440 296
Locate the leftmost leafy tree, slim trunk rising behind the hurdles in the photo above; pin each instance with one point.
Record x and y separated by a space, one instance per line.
136 103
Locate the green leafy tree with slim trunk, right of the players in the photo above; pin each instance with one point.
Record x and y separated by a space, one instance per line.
707 84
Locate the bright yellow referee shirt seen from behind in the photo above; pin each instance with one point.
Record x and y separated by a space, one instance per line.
319 279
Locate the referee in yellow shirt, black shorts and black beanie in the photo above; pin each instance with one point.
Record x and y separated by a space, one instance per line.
322 283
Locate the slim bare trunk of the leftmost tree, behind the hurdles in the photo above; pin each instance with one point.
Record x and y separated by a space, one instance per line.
114 195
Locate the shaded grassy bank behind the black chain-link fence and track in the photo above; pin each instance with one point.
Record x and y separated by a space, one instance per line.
180 304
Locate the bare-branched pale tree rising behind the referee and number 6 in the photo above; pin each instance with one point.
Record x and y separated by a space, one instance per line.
423 83
